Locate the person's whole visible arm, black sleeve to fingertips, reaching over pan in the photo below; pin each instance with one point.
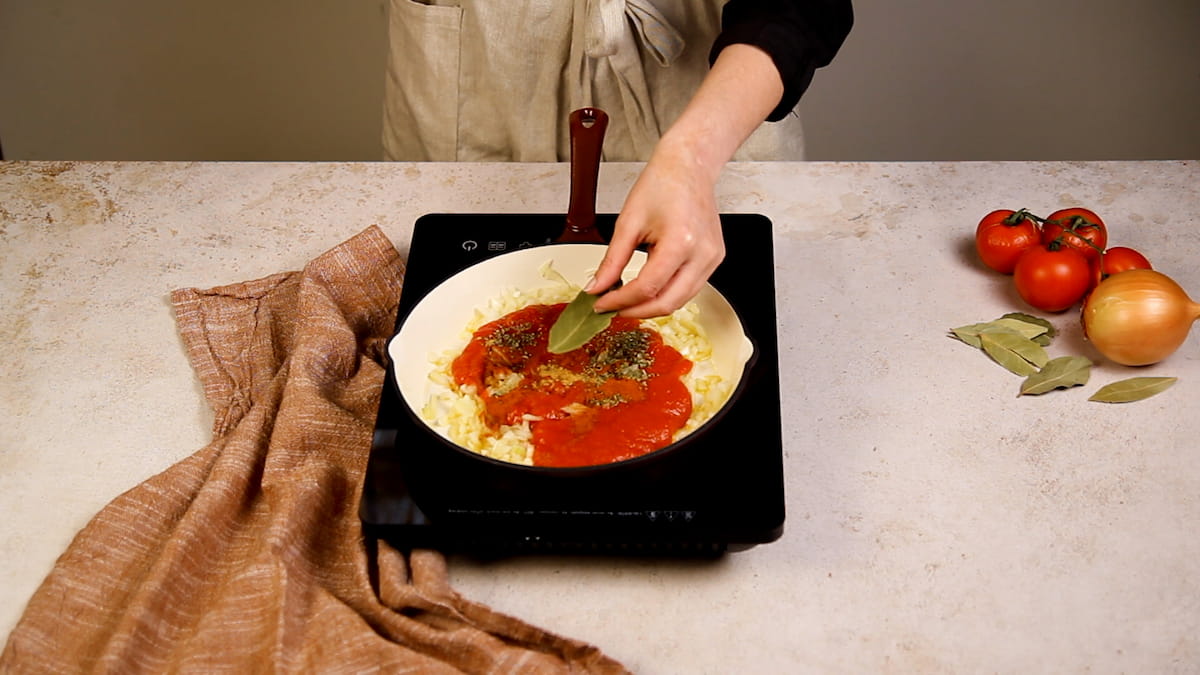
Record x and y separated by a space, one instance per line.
761 64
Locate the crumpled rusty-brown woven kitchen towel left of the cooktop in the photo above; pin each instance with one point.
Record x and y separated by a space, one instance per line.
249 555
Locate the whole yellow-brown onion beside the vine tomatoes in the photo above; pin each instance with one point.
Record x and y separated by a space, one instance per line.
1138 316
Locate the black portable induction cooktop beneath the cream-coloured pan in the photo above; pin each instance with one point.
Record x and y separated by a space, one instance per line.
719 489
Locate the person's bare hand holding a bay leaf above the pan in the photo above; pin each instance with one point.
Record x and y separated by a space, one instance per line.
673 210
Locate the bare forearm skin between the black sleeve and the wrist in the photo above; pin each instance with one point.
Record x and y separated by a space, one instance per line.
736 97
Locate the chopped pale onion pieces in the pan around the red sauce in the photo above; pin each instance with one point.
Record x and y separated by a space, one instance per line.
458 414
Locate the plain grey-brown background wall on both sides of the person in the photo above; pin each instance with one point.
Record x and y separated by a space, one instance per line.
303 80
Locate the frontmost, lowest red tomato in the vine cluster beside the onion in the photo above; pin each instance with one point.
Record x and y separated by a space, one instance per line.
1053 278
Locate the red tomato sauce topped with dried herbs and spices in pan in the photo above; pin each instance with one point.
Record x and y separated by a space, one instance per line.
623 392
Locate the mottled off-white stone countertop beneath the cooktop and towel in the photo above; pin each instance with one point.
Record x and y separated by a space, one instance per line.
937 523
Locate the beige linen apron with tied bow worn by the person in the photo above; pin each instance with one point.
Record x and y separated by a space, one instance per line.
496 80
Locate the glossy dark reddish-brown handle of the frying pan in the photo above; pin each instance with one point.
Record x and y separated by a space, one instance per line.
587 140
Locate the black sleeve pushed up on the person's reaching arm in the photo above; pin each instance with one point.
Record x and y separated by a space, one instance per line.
800 35
